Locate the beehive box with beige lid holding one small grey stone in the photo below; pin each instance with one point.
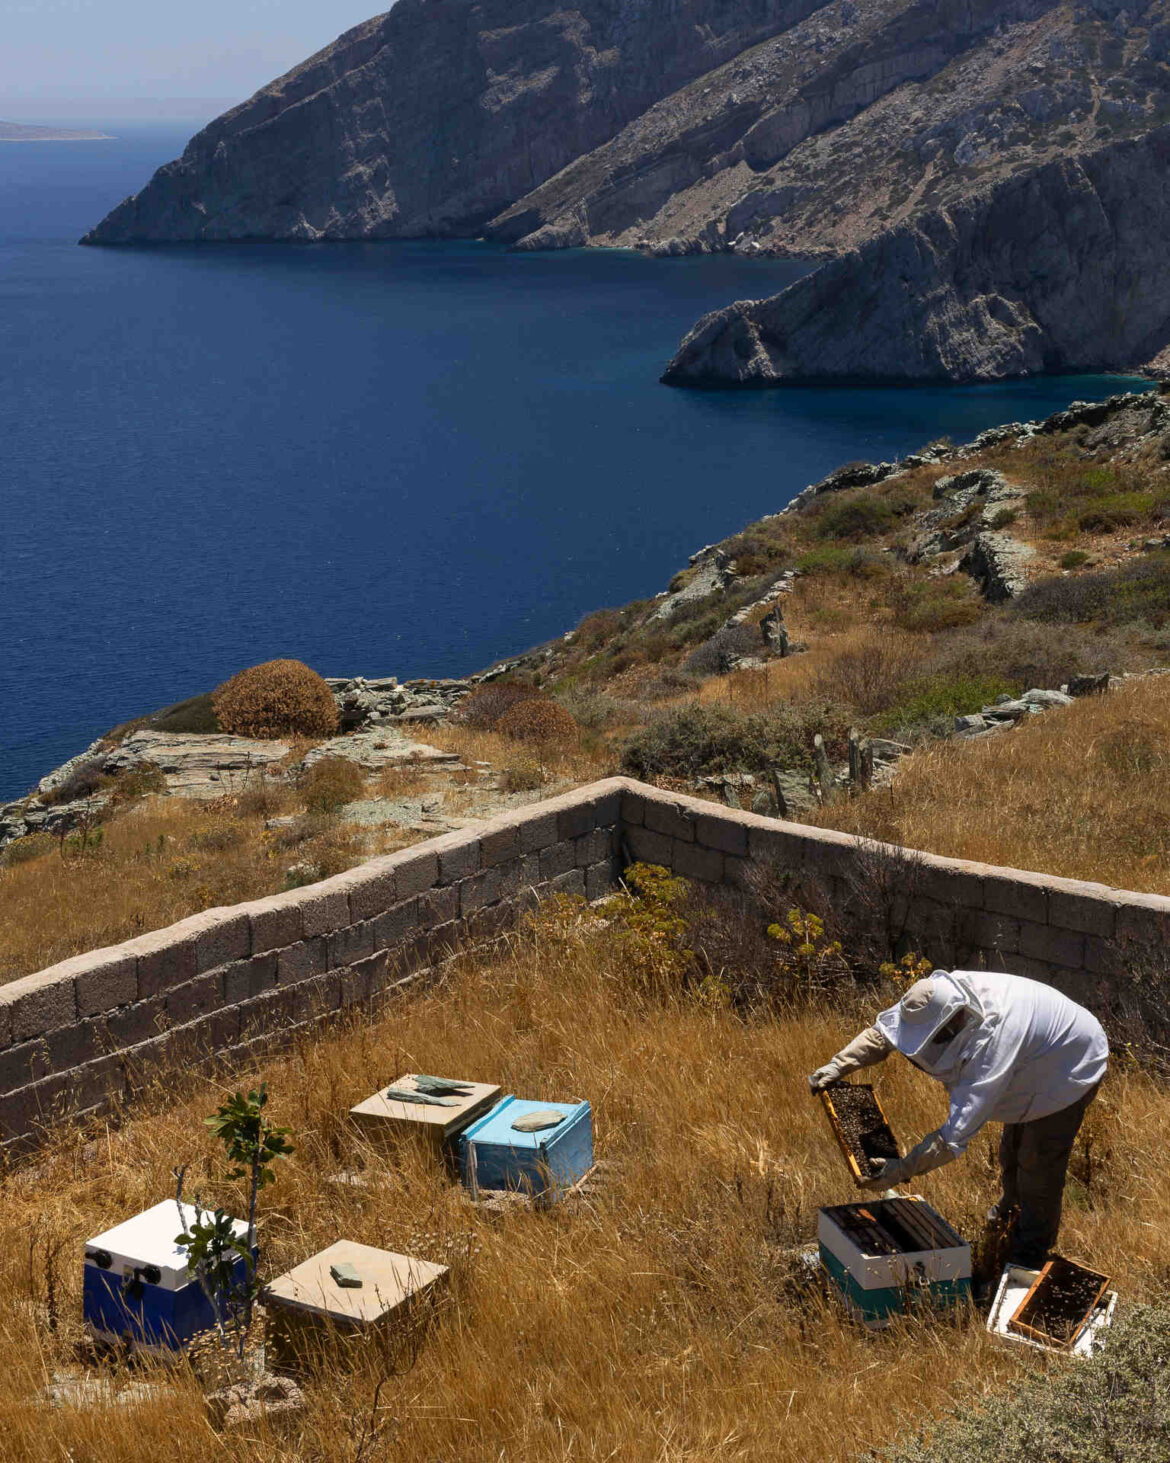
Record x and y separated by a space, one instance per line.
309 1306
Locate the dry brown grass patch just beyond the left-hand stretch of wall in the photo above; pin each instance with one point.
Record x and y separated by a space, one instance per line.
159 862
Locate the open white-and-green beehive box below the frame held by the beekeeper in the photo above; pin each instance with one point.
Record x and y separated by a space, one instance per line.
891 1255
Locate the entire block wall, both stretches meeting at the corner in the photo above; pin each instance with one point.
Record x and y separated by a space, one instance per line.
233 981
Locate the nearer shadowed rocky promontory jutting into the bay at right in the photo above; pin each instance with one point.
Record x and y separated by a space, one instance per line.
1060 270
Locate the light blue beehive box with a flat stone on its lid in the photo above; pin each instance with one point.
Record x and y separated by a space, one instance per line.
495 1155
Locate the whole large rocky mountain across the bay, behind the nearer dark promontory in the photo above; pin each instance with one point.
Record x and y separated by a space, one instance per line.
777 127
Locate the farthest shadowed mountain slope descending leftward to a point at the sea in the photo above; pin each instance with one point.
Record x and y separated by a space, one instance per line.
435 118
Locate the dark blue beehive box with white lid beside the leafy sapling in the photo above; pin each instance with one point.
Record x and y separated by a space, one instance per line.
137 1287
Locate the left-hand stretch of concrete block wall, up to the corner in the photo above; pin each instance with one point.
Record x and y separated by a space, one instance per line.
232 981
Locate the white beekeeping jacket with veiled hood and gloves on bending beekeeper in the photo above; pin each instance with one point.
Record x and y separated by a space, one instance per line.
1020 1051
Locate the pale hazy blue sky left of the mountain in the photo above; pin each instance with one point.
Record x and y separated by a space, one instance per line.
83 52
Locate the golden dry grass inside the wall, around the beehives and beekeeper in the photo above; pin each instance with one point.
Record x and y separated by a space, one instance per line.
659 1322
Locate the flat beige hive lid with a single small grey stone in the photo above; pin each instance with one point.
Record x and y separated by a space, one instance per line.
388 1281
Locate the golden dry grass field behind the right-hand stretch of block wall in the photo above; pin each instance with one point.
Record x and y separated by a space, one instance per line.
1082 792
